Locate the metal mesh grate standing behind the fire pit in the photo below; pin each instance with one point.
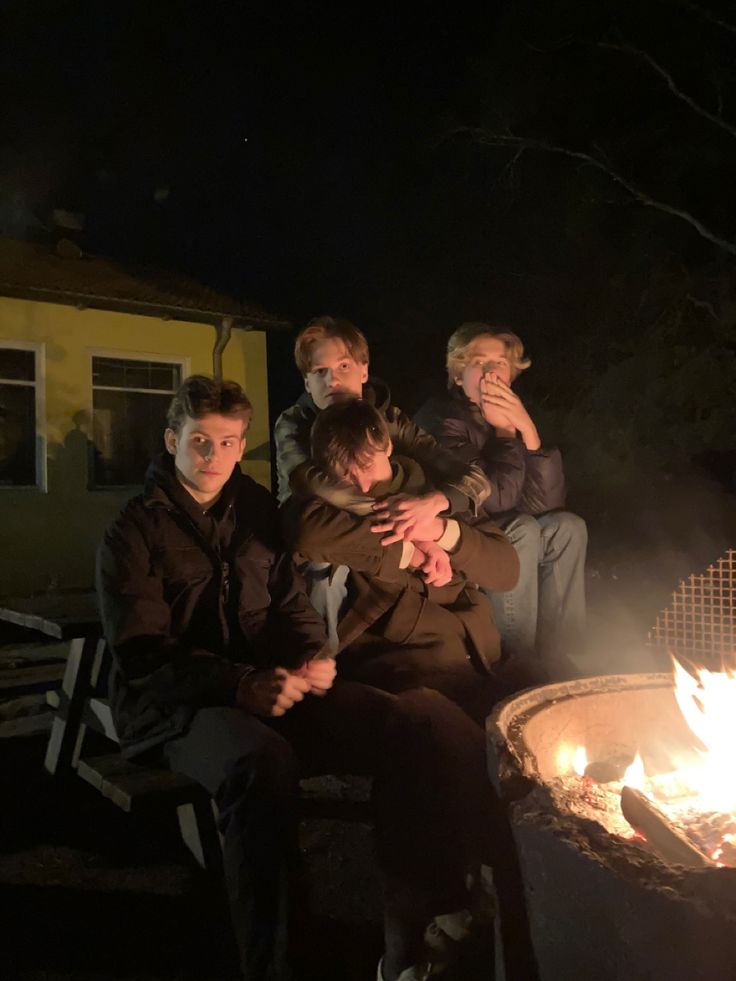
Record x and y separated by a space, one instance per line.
700 623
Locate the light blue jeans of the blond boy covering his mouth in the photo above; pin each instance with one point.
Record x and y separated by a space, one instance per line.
542 620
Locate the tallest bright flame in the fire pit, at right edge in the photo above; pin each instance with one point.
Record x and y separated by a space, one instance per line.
708 705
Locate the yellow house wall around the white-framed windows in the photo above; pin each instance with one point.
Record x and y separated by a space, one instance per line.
48 539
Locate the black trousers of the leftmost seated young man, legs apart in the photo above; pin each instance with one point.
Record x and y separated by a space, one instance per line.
431 798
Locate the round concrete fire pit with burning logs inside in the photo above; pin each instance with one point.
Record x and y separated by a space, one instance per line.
601 902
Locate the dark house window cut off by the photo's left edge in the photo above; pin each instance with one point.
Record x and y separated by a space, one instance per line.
18 414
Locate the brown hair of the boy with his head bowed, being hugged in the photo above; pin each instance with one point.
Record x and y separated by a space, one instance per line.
348 434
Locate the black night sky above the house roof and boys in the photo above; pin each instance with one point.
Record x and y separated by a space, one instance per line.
307 158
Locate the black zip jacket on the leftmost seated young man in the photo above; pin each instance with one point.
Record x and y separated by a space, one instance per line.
191 601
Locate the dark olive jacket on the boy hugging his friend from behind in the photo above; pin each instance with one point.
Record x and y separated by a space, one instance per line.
463 484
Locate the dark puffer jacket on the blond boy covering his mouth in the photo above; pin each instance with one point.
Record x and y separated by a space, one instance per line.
522 481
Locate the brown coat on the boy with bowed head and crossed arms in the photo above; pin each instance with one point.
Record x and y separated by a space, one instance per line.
398 598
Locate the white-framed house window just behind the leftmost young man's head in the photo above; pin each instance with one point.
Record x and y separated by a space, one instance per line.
129 403
